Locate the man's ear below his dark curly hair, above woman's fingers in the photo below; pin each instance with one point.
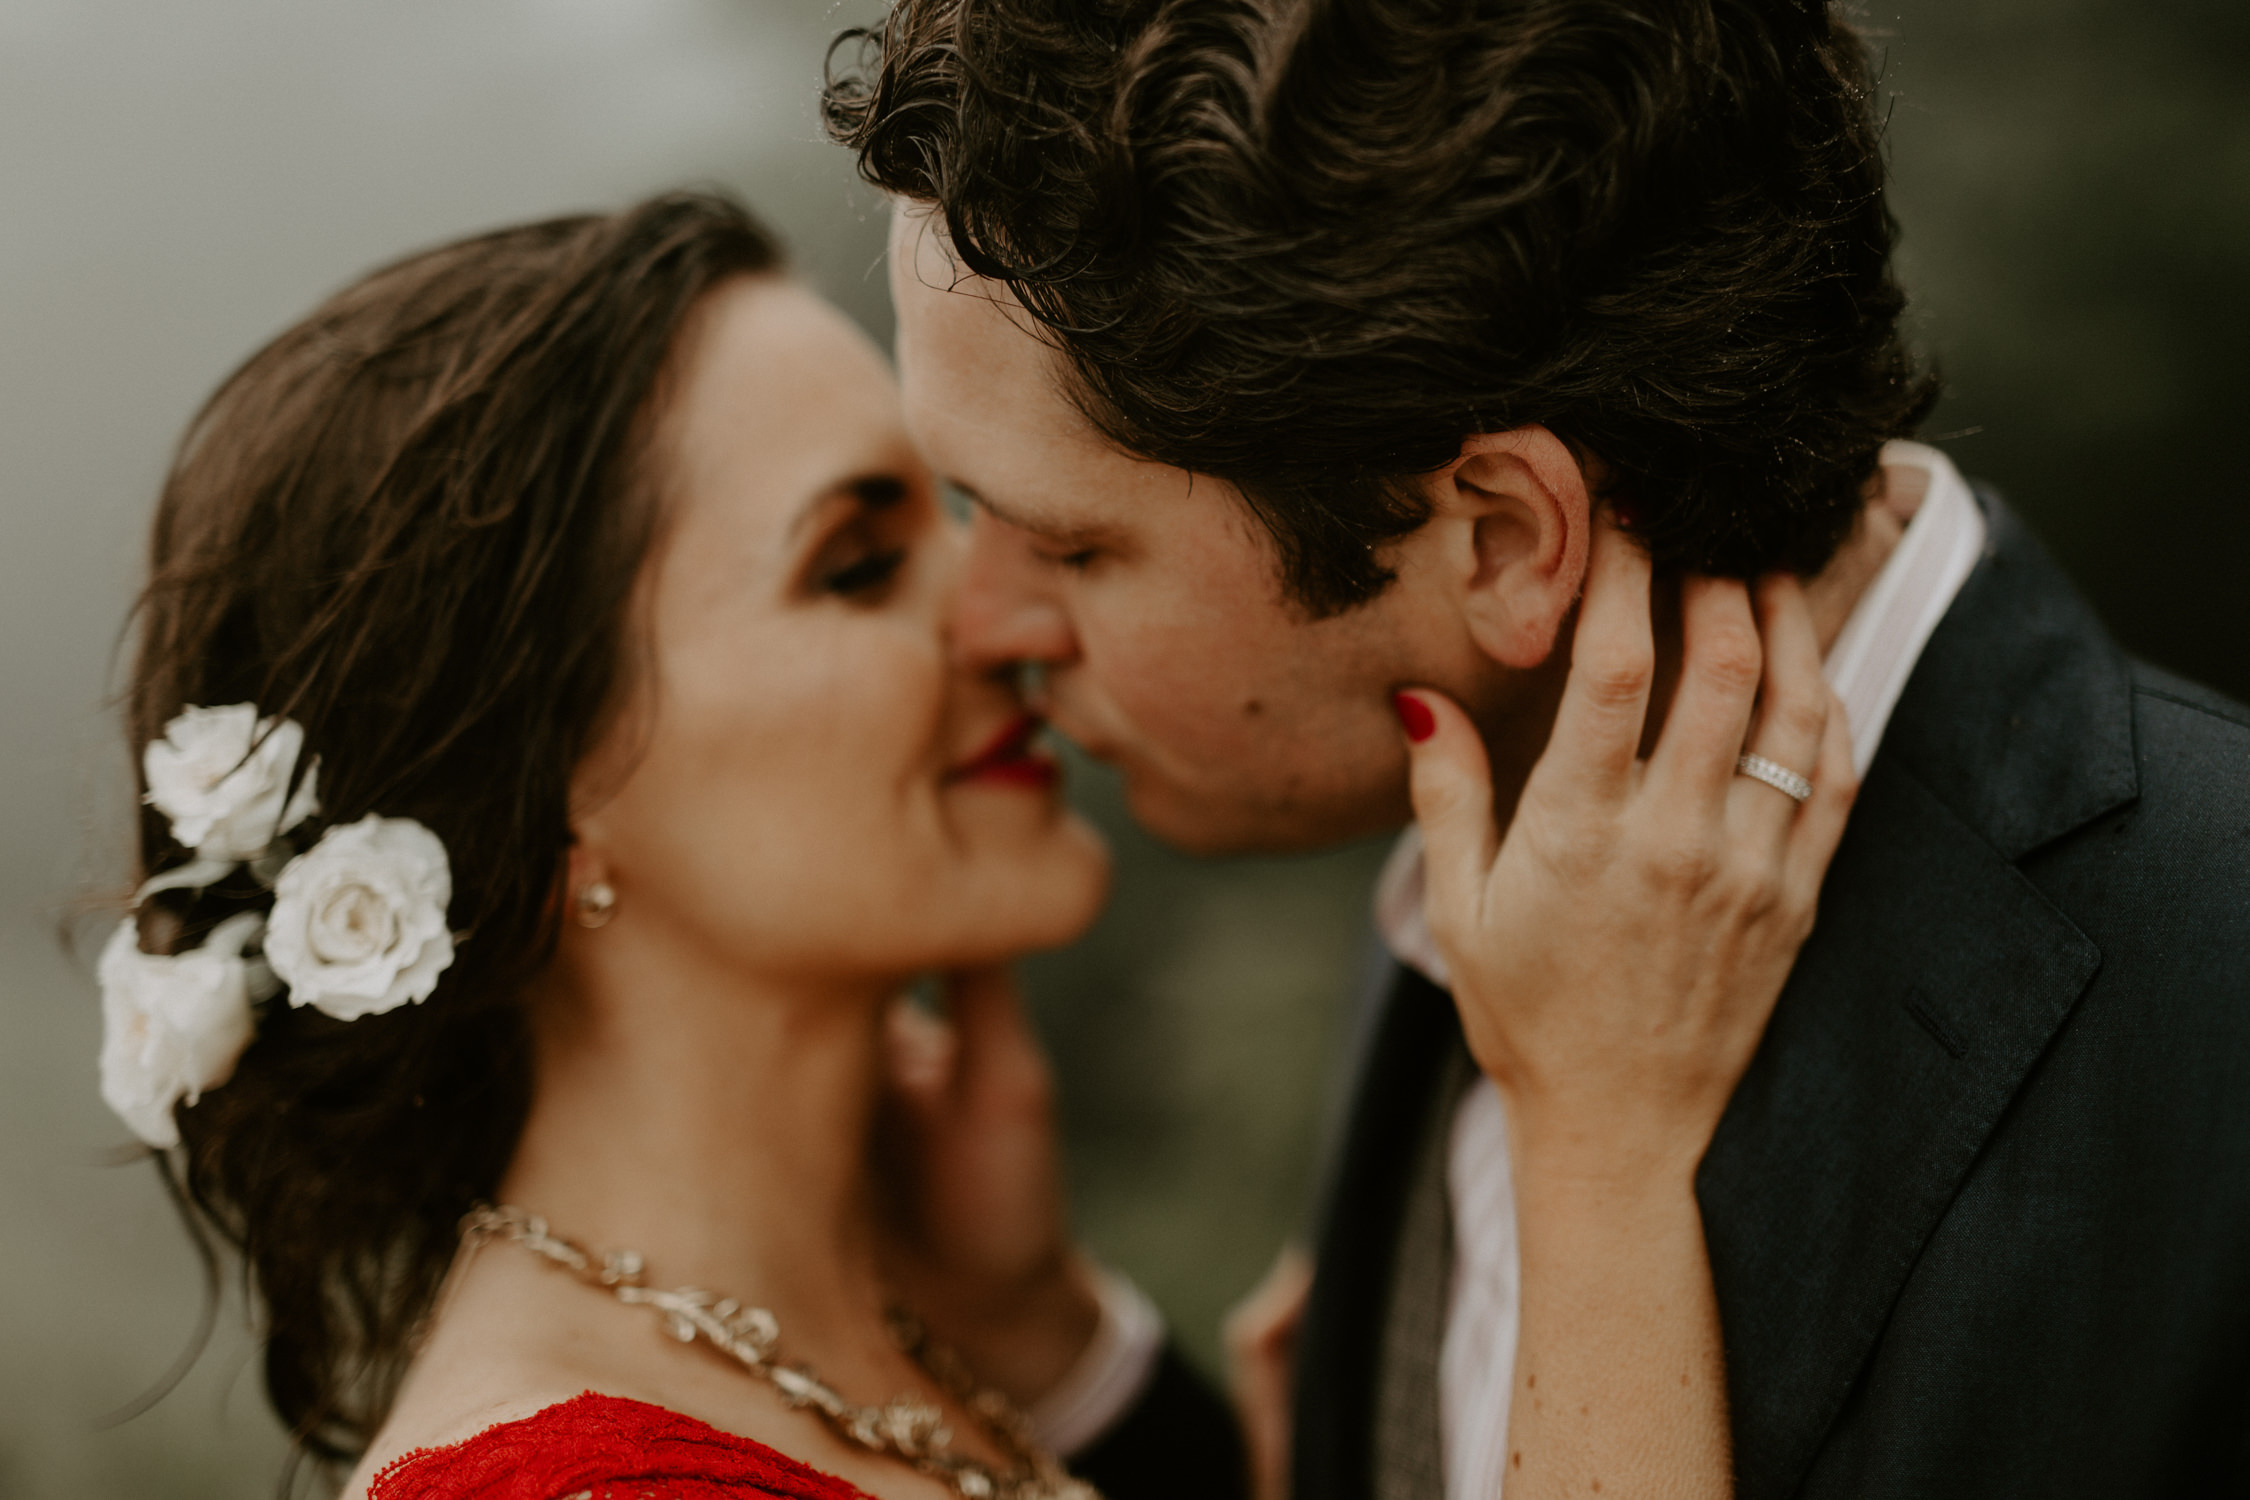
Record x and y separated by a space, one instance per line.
1522 503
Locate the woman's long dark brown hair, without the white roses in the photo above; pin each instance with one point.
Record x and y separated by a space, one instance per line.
413 525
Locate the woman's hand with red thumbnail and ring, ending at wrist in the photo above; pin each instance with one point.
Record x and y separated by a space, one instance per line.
1619 950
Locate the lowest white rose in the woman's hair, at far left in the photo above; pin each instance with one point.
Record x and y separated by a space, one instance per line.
172 1027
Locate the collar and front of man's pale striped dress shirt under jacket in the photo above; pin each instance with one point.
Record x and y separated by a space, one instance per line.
1869 667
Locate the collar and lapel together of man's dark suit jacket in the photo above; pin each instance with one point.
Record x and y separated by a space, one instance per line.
1929 991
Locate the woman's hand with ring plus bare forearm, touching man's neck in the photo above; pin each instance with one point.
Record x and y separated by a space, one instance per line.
1617 957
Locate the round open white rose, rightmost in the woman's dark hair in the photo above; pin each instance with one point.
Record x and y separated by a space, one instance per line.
359 921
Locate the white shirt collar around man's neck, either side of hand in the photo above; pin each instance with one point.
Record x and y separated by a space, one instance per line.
1869 667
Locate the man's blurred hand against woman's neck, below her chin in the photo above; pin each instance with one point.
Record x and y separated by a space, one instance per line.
980 1243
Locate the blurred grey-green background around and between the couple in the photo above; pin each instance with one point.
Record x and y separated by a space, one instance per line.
183 177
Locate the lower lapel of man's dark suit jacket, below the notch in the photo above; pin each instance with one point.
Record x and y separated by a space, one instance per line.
1927 993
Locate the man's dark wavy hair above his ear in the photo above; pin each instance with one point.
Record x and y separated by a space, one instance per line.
1308 246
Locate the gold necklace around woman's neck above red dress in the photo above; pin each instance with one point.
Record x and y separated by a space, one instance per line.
903 1429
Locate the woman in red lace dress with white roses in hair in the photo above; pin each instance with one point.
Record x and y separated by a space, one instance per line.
555 775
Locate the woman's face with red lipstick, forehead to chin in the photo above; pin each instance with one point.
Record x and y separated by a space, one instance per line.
807 781
